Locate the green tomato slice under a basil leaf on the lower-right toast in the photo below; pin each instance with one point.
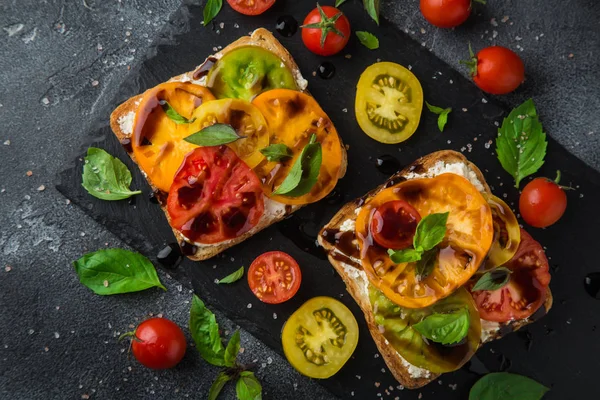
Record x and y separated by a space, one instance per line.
397 323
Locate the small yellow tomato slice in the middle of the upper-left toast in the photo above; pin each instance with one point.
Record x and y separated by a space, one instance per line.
245 118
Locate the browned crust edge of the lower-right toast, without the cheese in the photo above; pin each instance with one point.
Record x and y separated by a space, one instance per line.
389 354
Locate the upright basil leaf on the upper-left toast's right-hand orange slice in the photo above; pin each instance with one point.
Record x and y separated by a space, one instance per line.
305 171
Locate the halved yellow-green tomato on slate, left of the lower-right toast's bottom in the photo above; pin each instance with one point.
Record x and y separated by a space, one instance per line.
319 337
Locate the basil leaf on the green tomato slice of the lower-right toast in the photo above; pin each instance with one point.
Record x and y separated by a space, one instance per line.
445 328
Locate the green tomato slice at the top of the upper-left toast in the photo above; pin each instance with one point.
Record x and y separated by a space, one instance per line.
248 71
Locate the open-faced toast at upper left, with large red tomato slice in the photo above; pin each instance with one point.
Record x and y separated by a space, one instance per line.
232 147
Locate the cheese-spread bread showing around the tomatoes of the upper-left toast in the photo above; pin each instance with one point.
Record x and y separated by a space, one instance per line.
122 120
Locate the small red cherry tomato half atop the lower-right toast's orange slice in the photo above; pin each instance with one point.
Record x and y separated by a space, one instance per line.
394 223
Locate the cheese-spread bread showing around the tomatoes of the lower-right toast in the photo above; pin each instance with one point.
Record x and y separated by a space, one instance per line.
350 270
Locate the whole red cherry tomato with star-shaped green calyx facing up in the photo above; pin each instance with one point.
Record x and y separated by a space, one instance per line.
334 43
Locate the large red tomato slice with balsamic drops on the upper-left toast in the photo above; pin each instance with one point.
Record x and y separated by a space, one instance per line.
215 196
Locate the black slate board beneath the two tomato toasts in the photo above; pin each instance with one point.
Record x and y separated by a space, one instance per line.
560 351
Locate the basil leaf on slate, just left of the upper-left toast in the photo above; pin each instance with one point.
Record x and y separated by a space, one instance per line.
106 177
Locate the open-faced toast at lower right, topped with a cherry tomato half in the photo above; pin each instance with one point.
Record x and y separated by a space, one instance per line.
438 265
